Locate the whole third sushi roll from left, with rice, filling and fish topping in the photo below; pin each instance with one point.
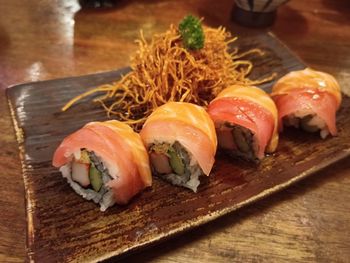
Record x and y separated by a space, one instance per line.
246 122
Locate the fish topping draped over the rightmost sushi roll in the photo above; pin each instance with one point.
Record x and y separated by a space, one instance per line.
308 90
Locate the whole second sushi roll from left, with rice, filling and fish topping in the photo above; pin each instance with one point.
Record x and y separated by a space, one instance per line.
181 142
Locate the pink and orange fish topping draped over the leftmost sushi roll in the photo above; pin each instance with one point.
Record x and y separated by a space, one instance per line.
111 141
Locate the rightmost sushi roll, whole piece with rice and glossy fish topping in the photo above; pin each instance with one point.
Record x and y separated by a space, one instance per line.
308 99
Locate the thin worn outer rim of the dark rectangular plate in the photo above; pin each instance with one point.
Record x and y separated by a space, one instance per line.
206 219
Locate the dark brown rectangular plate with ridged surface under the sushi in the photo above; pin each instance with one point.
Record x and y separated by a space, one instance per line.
64 227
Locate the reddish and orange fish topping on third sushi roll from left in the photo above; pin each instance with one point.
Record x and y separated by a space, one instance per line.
251 108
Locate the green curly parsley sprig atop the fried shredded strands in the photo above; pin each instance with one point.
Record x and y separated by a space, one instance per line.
192 32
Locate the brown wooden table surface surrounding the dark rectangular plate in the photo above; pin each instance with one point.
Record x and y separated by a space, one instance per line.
49 39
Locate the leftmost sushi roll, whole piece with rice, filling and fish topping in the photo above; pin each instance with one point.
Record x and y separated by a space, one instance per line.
105 162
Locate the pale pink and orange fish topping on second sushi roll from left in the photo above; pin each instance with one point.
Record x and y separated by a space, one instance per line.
186 123
